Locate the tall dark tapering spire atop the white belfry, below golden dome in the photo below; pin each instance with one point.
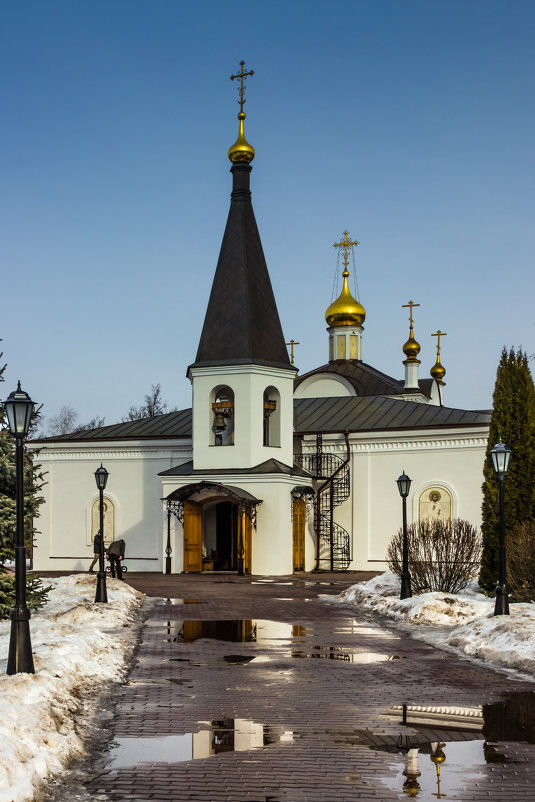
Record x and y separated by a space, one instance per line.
242 325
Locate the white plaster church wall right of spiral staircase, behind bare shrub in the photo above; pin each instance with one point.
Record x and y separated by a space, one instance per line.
452 459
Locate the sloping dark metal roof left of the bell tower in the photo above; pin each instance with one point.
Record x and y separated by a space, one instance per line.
169 425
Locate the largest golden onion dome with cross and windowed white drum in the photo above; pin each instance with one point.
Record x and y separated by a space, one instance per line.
345 316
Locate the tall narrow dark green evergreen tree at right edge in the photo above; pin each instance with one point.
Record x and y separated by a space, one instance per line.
512 420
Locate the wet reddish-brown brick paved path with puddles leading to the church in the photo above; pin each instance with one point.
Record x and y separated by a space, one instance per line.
299 705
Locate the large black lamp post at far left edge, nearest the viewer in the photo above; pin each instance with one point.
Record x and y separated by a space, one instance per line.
19 407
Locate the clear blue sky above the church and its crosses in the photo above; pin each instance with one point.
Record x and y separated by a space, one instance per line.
410 124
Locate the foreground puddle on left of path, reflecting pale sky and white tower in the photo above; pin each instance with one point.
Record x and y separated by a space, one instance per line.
212 738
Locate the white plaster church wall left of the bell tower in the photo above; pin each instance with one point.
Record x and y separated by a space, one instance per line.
134 487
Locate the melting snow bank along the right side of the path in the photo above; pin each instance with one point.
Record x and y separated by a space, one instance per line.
466 620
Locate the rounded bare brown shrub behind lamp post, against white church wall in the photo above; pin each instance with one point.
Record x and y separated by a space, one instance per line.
443 555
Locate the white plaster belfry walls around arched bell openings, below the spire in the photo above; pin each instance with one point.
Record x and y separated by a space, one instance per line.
248 383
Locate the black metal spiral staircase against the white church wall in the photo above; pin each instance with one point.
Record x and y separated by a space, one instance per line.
334 549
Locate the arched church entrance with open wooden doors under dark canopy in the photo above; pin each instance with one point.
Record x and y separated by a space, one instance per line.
218 522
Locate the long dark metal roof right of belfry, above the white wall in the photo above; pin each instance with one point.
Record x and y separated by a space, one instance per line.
362 414
